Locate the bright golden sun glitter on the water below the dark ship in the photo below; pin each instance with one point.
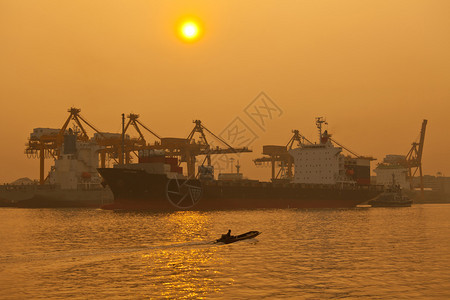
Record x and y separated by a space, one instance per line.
188 270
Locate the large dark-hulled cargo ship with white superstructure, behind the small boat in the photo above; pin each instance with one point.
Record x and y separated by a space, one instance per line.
324 178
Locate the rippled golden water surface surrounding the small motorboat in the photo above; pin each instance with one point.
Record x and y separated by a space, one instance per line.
376 253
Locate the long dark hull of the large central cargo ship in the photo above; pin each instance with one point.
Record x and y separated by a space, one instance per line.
137 189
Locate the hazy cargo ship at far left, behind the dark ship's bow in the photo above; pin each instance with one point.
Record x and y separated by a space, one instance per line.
73 180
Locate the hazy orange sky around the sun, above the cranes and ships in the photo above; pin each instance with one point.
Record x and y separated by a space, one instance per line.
374 69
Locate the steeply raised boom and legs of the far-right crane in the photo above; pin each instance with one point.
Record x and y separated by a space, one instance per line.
414 157
